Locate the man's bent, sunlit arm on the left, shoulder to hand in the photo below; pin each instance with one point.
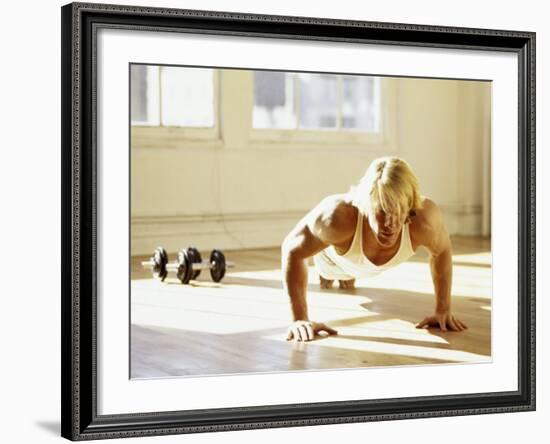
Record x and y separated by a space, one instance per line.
324 225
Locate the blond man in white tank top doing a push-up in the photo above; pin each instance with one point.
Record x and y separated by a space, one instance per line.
377 225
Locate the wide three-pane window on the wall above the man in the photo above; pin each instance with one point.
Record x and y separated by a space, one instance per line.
317 102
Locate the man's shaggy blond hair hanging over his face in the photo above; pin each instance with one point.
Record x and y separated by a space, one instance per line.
389 184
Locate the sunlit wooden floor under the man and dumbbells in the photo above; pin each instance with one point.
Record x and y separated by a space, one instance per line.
239 325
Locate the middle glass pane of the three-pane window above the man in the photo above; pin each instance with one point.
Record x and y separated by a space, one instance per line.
318 101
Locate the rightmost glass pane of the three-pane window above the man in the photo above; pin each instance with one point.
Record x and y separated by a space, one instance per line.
360 103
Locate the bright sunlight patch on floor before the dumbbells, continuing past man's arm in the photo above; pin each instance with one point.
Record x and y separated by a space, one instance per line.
231 309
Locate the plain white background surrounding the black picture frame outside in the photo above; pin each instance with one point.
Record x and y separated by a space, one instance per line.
29 180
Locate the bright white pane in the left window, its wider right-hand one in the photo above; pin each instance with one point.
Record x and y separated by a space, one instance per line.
187 97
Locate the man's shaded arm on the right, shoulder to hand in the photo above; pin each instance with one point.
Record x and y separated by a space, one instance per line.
438 243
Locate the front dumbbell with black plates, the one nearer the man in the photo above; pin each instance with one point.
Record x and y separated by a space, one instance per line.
189 264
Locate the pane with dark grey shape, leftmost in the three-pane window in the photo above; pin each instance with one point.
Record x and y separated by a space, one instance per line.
273 100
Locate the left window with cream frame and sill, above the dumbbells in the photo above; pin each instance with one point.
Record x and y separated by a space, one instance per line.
173 101
